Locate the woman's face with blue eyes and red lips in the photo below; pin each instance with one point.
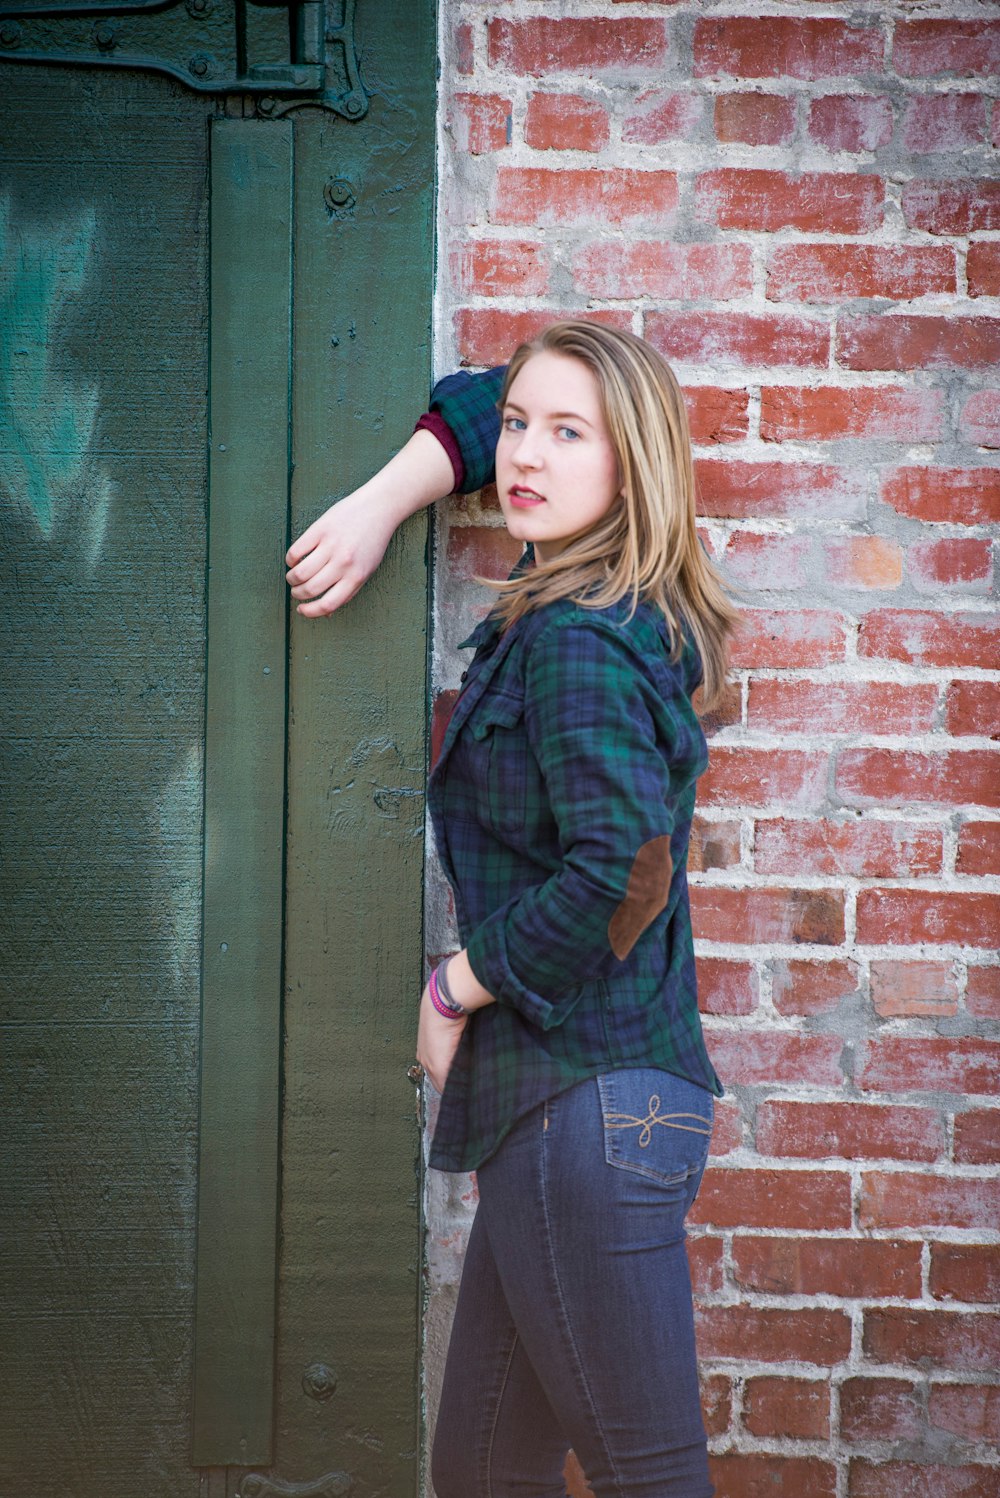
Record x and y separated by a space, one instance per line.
558 473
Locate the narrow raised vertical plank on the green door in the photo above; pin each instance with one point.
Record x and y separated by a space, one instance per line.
245 792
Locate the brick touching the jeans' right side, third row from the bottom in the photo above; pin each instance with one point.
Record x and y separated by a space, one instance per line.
776 1335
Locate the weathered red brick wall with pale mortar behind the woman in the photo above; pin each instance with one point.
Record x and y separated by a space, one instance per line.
803 210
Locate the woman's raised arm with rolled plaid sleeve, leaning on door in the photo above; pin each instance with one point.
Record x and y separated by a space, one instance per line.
344 548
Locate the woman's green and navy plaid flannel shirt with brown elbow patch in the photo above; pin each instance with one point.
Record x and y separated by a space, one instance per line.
562 807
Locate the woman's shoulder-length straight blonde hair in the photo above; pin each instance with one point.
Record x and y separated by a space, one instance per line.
646 548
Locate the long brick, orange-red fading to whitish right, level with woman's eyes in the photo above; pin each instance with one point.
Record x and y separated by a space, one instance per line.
829 413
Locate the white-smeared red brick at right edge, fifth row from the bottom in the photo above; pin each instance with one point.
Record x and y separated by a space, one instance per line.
903 1199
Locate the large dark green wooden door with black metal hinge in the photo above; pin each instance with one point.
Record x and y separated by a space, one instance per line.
216 312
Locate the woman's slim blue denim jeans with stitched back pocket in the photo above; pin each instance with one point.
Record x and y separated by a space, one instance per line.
574 1323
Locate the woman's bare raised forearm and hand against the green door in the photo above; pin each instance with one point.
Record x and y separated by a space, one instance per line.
341 551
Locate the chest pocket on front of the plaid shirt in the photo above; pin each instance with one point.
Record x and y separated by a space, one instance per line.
508 783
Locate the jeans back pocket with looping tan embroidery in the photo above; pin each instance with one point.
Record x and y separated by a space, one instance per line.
655 1124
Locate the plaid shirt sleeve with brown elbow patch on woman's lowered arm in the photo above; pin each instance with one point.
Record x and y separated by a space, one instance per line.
603 735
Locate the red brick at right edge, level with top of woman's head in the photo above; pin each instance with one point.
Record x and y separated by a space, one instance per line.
909 344
